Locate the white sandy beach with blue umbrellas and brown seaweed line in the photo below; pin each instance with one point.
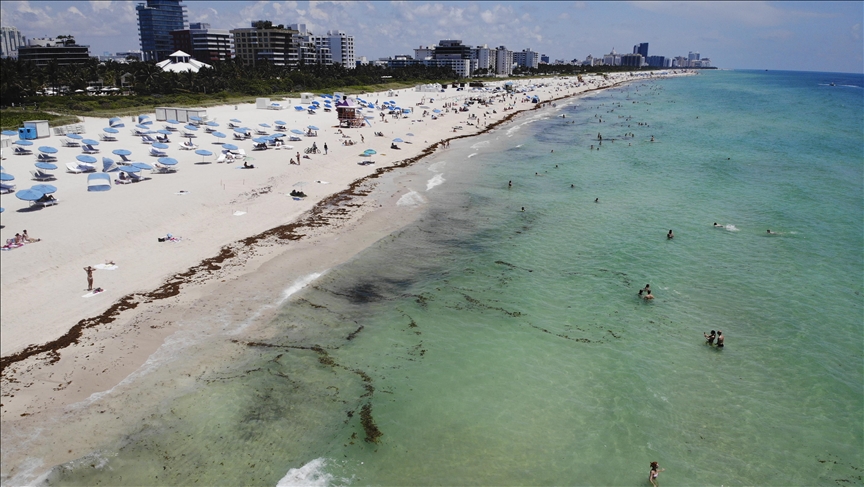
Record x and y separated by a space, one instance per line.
212 208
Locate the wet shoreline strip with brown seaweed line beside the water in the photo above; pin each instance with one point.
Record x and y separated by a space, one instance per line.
311 235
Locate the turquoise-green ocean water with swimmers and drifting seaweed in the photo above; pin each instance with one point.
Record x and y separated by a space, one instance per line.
494 346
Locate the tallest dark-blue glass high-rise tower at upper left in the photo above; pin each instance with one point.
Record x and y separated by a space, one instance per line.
156 20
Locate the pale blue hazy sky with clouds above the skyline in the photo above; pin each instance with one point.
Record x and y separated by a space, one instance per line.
798 36
